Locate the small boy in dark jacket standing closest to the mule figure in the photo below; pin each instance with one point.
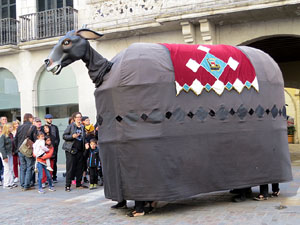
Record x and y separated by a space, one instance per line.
92 153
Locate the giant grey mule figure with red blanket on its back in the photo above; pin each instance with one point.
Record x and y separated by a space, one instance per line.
159 144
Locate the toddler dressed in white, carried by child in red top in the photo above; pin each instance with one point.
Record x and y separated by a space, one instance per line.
39 150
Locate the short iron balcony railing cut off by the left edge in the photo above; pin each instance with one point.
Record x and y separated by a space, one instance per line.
9 31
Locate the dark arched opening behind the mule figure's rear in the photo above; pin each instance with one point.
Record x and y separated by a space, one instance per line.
284 49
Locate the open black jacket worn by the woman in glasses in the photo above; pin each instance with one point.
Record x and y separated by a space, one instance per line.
68 137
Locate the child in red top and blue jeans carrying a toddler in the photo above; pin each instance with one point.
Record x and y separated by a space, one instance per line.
41 165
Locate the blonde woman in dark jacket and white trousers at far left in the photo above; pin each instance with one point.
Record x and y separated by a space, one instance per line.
6 151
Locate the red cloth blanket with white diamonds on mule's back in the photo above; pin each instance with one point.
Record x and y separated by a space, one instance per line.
211 67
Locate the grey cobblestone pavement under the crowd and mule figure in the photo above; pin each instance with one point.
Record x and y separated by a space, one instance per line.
91 207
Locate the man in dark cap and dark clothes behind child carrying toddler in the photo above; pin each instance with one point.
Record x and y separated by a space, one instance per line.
55 133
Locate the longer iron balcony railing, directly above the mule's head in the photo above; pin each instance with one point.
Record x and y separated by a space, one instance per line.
49 23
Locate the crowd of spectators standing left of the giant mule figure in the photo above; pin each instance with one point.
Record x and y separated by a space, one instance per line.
80 145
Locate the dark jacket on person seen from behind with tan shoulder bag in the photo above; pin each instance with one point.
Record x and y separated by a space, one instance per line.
21 134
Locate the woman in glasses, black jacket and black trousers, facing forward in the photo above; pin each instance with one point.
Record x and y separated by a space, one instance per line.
74 137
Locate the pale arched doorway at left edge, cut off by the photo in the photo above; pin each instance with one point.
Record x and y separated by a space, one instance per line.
9 96
